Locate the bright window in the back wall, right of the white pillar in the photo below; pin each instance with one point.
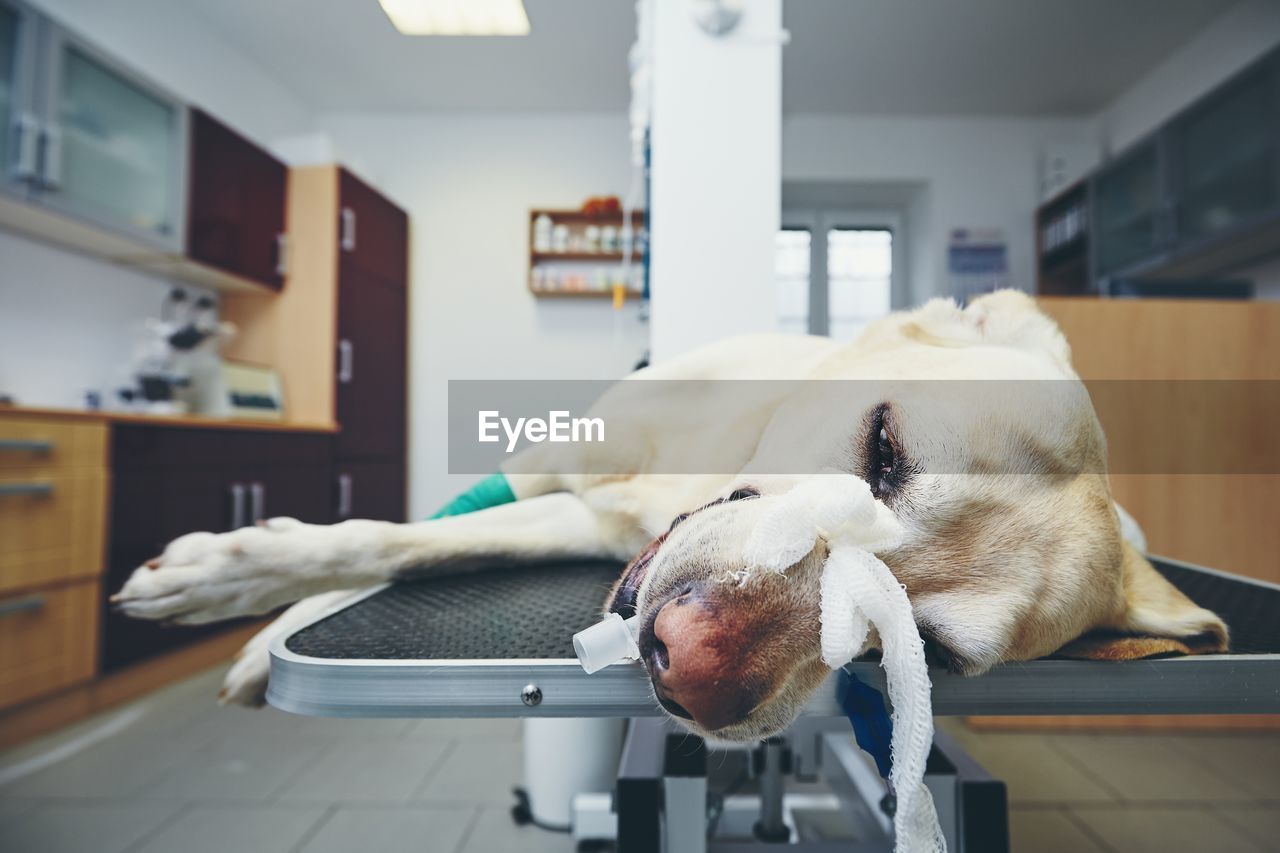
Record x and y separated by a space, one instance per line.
835 272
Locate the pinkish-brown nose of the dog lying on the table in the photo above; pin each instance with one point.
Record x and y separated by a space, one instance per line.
694 663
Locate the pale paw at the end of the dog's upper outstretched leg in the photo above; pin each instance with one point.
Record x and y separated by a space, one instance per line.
208 577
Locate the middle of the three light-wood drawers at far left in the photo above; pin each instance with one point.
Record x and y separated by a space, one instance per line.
52 526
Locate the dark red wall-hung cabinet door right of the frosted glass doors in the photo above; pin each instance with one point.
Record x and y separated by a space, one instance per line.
236 208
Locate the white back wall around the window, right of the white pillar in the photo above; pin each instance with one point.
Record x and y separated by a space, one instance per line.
973 174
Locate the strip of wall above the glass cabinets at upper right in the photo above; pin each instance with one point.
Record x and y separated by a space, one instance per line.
1231 43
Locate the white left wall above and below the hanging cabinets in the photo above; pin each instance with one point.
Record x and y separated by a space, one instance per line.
67 321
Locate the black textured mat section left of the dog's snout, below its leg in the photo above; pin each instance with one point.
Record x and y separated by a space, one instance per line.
510 614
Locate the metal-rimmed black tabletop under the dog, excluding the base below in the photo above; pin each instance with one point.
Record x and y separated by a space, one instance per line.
499 645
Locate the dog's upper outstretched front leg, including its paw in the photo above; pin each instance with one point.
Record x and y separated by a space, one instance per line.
208 577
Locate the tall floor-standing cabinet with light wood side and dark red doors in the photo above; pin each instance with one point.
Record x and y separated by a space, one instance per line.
339 335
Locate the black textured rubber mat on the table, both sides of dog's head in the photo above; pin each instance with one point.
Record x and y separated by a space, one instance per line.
533 613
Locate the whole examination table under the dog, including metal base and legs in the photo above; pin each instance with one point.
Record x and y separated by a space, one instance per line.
499 645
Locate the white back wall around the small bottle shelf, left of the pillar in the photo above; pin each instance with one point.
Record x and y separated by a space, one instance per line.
469 184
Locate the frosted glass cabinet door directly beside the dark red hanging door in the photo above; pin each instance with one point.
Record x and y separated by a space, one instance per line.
113 147
